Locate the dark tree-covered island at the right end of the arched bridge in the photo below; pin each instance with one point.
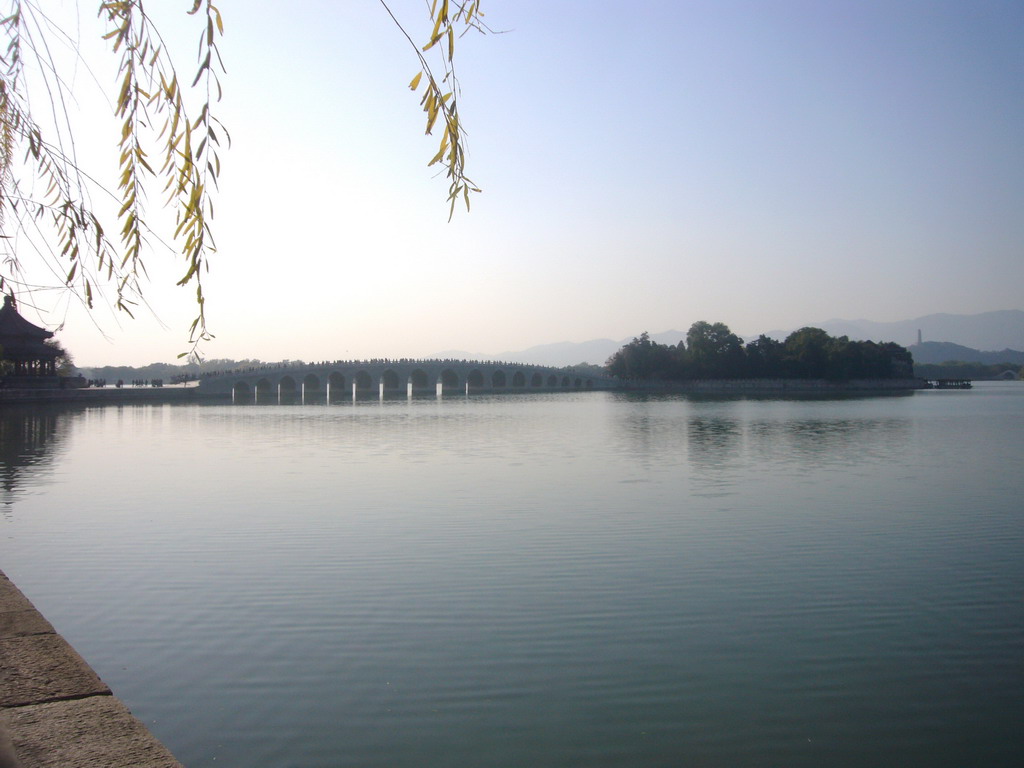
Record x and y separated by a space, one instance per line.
713 352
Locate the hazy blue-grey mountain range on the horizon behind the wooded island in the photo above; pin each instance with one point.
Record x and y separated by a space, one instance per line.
1000 330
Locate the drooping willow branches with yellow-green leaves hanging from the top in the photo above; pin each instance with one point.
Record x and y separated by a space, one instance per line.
169 142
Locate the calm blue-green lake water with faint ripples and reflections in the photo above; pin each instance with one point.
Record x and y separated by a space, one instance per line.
571 580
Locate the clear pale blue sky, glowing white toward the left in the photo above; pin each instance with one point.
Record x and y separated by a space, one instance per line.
645 165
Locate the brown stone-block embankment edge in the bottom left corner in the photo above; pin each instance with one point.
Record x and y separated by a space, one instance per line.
55 710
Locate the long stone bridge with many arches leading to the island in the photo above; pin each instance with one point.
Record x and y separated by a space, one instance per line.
352 380
